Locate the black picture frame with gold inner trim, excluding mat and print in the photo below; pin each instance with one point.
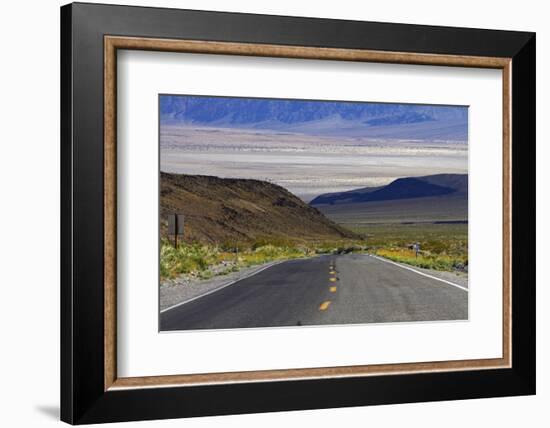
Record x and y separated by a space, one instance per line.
91 390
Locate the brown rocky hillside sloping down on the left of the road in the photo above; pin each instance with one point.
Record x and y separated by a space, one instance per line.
227 211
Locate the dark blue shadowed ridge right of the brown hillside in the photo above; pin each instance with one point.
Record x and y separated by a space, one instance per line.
402 188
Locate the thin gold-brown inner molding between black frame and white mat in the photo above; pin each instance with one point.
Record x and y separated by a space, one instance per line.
113 43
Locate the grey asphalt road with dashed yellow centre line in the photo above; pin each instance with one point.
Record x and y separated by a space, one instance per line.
341 289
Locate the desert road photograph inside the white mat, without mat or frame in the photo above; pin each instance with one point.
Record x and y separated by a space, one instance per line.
291 212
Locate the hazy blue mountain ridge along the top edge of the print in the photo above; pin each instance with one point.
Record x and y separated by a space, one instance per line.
352 119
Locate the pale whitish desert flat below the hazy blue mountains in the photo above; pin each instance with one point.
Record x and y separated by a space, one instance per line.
304 164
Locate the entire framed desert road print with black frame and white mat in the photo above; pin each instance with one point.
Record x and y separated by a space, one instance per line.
265 213
